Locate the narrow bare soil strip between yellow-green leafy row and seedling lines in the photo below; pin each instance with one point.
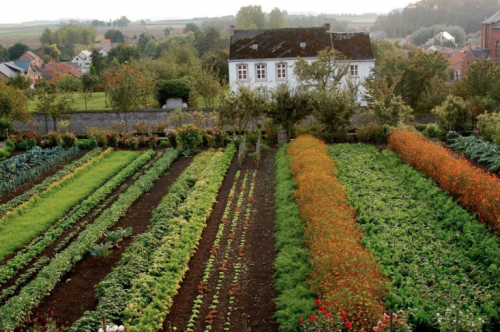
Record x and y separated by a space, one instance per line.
183 302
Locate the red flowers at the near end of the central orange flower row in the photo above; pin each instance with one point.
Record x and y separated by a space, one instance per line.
327 317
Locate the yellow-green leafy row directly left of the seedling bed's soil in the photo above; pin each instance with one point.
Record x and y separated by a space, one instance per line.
152 293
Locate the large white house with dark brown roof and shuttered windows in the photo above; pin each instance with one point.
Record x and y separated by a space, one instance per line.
266 58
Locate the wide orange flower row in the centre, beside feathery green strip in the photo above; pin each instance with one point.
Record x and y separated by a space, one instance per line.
343 270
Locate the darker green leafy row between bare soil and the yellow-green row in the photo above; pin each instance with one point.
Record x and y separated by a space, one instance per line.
112 291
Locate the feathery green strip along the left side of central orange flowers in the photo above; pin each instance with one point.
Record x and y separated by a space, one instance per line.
292 262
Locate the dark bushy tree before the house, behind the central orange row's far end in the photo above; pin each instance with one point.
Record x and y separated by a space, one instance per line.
289 105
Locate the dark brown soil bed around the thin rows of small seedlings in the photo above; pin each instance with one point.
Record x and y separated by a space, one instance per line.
255 293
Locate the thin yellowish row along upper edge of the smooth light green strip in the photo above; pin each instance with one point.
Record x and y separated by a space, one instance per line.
18 210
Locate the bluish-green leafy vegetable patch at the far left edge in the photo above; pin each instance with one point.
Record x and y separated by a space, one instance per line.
22 168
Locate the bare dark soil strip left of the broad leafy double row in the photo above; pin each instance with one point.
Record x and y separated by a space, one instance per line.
76 293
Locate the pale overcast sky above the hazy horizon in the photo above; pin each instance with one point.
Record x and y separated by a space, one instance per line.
35 10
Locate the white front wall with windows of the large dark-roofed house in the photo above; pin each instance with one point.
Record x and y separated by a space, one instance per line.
269 73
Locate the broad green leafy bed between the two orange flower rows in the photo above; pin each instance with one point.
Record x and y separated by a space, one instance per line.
438 257
